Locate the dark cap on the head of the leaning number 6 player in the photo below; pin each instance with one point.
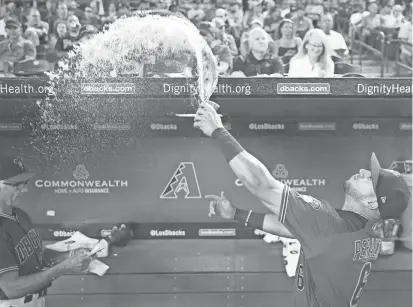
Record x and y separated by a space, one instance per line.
393 194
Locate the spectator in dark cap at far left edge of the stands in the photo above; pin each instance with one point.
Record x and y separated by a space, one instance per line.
15 48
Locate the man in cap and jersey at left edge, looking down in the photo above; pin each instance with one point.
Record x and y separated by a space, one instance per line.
26 268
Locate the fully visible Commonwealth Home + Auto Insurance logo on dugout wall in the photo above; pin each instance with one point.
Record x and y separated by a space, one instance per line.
80 184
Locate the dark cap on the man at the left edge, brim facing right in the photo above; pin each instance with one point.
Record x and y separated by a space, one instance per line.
13 171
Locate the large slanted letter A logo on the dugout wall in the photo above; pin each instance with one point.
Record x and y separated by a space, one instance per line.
183 183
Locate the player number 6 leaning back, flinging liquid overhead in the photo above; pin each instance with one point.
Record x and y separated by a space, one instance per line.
338 246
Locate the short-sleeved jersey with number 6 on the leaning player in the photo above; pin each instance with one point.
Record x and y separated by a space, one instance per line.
338 248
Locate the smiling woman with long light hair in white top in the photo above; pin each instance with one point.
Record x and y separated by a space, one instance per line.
313 59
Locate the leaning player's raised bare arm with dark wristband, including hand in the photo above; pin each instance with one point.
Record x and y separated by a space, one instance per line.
252 173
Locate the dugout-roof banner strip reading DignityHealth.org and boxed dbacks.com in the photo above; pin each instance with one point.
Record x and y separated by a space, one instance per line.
181 87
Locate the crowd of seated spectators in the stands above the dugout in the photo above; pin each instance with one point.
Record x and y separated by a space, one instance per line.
255 38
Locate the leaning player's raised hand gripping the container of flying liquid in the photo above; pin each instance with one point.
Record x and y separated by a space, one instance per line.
207 119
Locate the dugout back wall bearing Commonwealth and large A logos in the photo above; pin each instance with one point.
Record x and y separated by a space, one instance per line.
164 180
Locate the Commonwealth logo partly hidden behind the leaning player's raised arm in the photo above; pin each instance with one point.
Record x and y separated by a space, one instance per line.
299 184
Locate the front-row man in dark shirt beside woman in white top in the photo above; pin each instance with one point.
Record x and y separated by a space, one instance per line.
260 61
